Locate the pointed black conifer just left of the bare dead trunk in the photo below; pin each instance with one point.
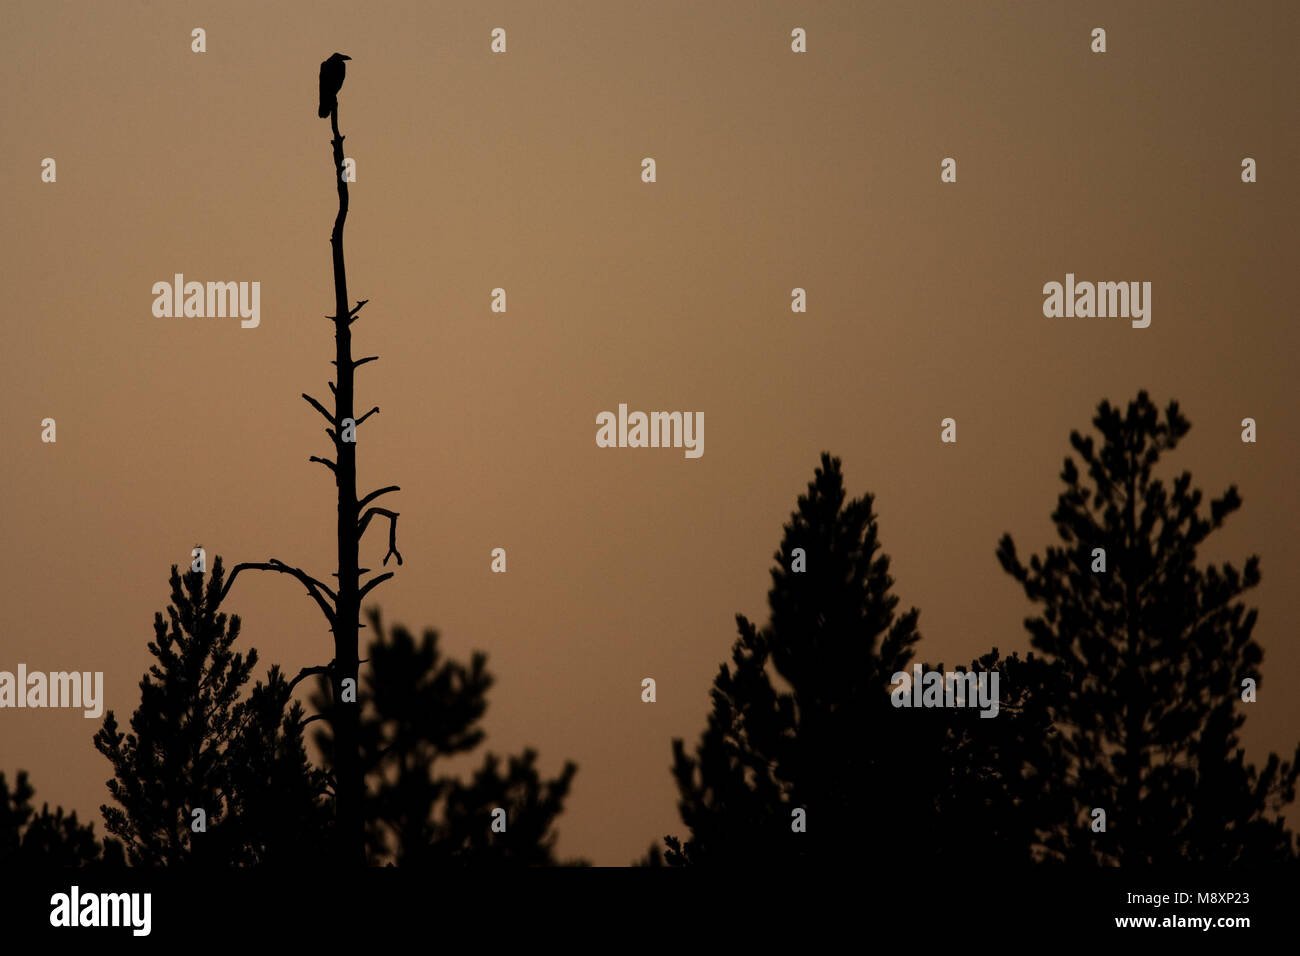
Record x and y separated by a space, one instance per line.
196 745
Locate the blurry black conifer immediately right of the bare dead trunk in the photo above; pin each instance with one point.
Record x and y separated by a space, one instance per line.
418 711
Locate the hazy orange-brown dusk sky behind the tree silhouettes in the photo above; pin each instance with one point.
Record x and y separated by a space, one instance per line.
522 171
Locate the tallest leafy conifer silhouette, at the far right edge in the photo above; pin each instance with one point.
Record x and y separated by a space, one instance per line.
1156 650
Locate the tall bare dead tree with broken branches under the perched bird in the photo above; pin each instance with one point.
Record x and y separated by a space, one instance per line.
343 608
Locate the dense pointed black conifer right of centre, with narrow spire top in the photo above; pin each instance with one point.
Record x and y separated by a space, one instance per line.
833 745
